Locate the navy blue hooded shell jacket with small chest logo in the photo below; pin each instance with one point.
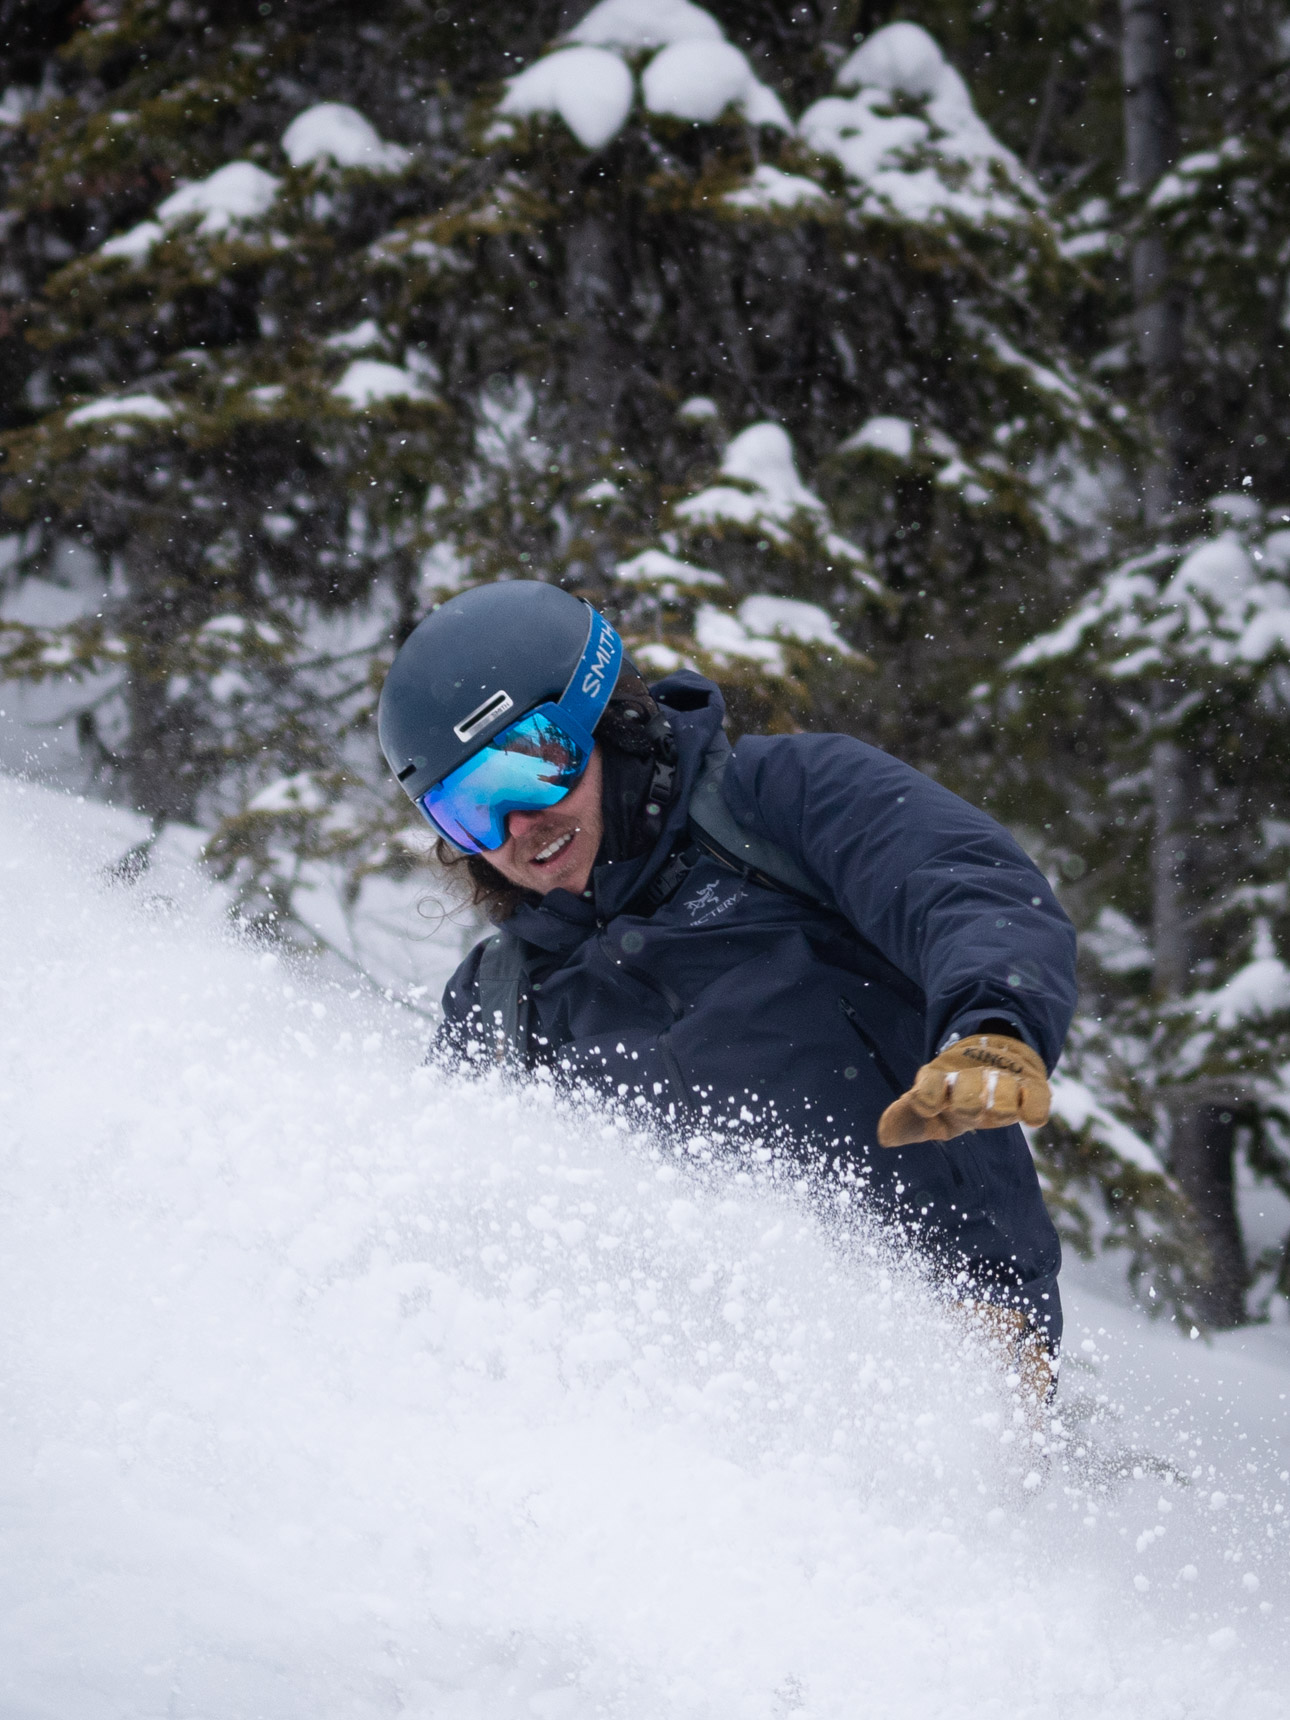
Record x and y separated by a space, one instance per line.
744 1002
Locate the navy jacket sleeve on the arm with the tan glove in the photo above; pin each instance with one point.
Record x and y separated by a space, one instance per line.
935 883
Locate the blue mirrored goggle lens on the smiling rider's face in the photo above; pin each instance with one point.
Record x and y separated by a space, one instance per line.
525 768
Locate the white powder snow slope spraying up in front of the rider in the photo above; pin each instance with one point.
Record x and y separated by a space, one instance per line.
338 1389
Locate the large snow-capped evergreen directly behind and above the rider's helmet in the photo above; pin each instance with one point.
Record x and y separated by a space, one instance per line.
802 352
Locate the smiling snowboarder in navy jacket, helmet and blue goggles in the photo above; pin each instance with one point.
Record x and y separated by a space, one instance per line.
802 937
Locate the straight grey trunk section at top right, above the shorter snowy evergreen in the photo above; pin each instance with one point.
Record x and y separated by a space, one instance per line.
1152 145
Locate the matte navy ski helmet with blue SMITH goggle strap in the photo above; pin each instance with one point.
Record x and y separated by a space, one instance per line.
479 663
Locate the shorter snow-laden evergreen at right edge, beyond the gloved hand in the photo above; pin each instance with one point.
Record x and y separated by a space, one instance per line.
1177 672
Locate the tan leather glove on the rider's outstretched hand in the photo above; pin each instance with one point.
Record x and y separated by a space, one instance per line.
985 1081
